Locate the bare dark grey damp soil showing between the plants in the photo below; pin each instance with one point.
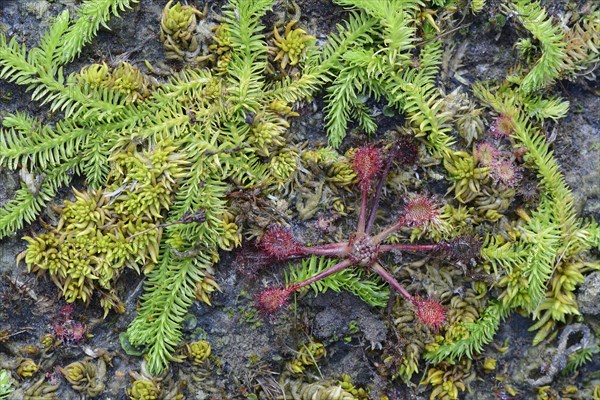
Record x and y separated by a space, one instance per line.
246 344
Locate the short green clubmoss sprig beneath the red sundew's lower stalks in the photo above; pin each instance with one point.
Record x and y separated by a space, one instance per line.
371 291
